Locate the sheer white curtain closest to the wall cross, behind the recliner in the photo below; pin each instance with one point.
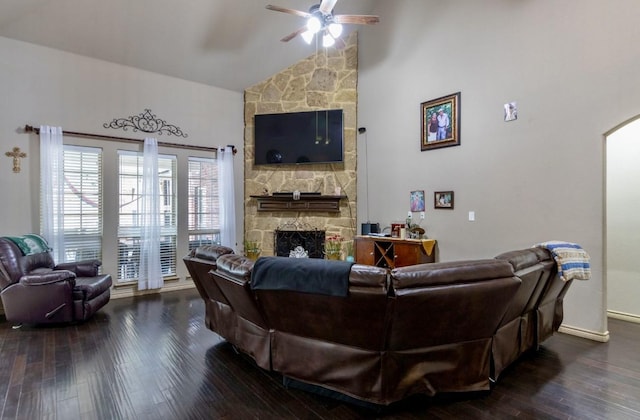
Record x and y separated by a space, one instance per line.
52 184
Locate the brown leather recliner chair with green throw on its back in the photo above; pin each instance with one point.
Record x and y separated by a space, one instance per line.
36 291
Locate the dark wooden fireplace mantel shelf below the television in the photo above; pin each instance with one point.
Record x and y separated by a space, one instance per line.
306 202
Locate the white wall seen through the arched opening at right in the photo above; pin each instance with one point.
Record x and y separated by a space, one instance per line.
623 223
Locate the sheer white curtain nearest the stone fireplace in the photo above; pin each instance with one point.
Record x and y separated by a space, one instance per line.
227 197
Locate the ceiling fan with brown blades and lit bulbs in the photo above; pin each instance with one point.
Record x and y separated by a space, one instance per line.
322 21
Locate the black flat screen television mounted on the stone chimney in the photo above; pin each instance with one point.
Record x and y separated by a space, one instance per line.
299 137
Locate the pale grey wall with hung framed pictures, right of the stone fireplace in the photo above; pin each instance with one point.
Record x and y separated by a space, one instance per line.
571 66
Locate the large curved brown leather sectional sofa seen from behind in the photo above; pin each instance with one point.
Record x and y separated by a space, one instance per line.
423 329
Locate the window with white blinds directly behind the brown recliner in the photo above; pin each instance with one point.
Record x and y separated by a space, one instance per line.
82 203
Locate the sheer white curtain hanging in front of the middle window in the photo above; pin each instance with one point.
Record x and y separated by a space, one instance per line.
150 276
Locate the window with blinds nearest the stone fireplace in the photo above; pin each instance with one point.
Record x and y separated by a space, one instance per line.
204 209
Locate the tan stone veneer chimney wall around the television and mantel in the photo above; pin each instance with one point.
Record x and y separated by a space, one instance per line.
325 80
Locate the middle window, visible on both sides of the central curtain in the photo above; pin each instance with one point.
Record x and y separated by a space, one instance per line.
130 185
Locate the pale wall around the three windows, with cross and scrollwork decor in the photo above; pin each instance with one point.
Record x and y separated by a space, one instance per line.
45 86
